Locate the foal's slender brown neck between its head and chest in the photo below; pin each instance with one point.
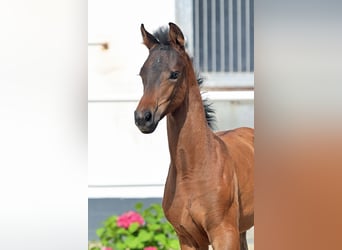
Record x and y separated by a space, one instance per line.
188 132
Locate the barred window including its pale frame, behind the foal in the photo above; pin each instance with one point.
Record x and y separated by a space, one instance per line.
221 39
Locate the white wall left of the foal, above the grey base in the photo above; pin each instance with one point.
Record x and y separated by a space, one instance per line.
122 162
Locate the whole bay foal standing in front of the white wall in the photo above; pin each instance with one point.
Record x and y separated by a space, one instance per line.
208 196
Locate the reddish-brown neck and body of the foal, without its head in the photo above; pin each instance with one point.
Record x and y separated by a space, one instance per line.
208 185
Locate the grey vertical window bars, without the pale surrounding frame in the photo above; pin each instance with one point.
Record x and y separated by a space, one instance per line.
223 35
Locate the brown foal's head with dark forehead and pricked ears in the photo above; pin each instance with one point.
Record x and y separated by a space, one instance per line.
163 76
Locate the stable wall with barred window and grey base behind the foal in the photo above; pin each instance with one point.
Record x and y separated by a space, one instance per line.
220 38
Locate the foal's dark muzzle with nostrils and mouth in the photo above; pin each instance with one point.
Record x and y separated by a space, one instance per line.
145 121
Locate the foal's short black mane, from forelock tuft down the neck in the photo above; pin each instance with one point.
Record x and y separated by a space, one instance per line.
162 35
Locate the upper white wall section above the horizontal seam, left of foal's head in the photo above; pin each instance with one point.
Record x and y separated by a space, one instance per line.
114 72
